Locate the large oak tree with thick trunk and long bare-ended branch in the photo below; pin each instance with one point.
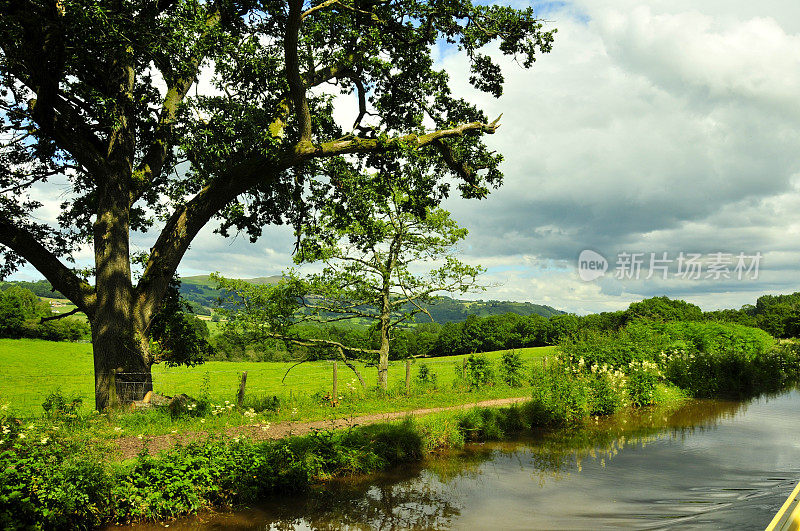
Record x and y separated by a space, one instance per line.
163 114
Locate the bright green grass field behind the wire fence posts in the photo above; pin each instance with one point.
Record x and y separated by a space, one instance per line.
30 369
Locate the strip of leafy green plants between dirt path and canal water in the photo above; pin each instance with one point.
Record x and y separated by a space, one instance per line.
56 485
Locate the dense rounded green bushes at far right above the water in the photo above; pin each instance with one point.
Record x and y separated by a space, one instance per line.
706 359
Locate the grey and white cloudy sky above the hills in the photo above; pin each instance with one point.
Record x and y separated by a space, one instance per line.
652 127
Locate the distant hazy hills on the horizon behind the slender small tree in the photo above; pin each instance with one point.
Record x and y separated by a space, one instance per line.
200 292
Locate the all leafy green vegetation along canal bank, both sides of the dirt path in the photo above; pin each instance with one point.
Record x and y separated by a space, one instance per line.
52 476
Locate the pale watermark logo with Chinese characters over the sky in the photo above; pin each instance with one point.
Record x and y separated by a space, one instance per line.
685 266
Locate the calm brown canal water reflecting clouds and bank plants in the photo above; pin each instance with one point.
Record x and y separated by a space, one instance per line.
707 464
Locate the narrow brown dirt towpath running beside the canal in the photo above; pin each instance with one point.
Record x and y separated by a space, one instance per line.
131 446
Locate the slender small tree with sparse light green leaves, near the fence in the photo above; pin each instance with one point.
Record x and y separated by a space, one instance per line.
384 259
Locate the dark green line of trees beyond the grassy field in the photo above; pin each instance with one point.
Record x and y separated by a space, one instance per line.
21 311
